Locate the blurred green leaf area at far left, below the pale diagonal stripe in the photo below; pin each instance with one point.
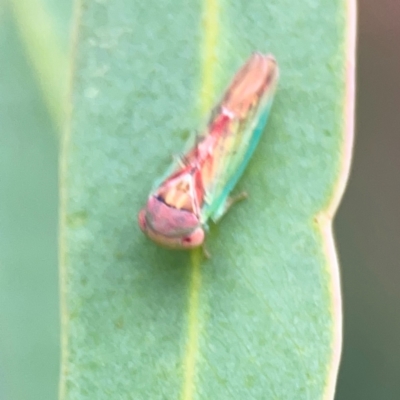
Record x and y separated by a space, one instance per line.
29 315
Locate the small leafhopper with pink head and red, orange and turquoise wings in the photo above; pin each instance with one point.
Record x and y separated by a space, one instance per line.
197 186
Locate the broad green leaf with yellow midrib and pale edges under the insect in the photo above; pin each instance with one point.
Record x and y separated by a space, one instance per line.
261 319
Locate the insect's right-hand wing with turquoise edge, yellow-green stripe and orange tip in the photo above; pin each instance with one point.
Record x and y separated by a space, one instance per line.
245 108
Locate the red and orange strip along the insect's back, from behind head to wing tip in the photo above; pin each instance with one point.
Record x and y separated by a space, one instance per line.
185 188
